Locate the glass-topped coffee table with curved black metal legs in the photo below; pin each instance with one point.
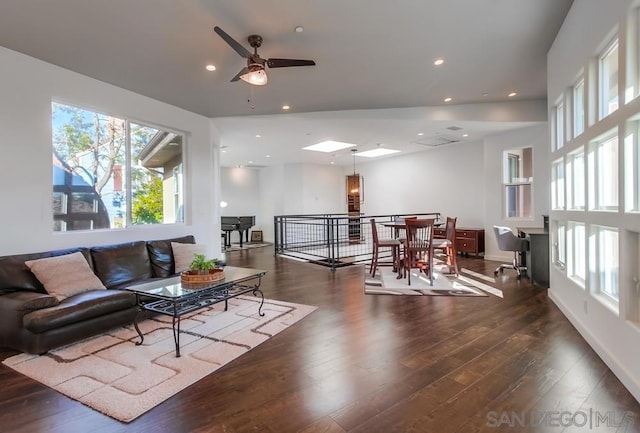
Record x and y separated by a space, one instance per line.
170 297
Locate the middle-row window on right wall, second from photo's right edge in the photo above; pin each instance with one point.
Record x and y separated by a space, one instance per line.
603 173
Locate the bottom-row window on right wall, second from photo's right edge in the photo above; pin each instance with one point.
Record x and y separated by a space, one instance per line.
604 262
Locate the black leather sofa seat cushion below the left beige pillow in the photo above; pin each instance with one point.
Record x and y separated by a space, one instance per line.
78 308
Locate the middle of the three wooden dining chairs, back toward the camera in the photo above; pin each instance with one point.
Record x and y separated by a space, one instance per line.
418 247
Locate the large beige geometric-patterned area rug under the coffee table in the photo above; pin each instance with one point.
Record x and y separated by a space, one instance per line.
110 374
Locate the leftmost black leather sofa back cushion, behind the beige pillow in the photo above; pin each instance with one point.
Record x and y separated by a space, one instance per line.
15 275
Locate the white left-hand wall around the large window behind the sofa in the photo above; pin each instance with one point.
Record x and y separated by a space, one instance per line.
27 88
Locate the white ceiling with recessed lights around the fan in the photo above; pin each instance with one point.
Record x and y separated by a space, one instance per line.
374 56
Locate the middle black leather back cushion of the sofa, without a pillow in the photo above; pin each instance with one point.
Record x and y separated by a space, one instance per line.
120 263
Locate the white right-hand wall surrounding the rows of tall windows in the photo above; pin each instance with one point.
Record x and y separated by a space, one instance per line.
615 337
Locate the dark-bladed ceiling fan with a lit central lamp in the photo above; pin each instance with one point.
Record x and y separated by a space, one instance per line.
254 73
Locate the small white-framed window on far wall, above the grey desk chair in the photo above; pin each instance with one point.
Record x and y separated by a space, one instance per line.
517 181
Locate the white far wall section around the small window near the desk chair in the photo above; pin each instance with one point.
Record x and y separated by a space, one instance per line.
536 137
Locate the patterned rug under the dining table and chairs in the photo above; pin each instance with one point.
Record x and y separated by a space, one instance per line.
386 282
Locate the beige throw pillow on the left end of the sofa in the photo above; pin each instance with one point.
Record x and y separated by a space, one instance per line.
65 276
